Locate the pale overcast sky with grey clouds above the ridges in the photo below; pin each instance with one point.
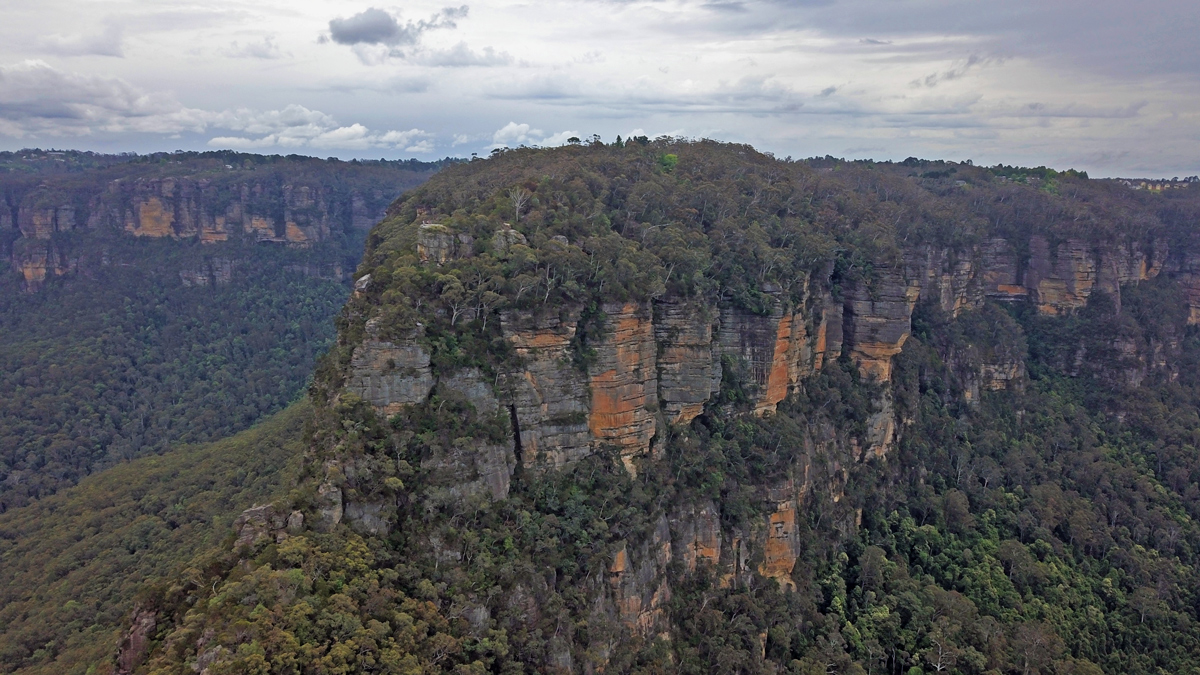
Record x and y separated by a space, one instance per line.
1103 86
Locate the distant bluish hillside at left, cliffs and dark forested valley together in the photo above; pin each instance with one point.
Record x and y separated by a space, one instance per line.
149 301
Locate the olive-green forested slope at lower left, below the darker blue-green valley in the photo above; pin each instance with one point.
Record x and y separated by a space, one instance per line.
73 564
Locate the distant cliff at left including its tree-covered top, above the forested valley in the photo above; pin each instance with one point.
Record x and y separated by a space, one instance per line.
209 199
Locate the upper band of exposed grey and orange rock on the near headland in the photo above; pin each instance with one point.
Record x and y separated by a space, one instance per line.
662 363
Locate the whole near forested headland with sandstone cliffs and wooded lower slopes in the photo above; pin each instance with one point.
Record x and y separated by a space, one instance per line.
945 422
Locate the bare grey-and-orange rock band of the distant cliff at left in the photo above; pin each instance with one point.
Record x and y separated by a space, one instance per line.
298 212
